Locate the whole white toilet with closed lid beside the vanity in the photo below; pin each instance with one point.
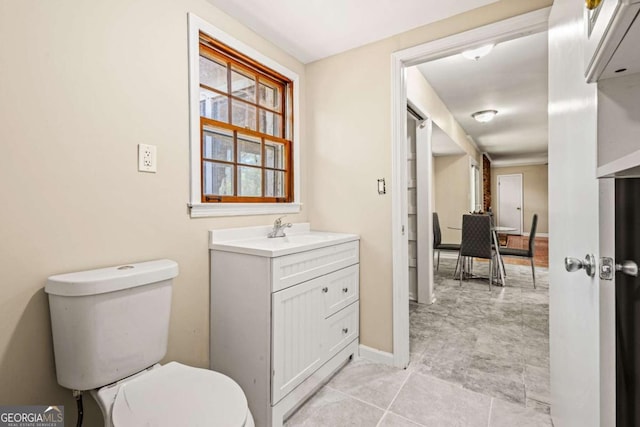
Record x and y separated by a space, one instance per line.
110 328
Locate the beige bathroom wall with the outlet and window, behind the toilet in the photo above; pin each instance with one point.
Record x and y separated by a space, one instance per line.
81 84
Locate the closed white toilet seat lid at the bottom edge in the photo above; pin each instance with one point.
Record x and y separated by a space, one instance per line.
176 394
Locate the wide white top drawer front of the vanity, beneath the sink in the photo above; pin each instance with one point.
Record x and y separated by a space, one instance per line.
292 269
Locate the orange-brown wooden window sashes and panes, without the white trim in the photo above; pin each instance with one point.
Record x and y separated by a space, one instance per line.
245 153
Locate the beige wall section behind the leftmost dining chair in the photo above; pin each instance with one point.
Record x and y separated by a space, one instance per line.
452 193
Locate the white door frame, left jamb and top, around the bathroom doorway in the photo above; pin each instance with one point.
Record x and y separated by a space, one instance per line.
507 29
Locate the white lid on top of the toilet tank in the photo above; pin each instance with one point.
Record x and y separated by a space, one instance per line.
110 279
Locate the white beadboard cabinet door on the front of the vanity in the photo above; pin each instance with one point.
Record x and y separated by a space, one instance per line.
298 315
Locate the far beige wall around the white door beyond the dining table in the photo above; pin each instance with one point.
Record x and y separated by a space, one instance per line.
535 193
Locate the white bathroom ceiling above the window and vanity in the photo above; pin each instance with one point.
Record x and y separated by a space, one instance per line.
314 29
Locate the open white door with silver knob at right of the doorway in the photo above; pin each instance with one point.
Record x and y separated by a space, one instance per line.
576 308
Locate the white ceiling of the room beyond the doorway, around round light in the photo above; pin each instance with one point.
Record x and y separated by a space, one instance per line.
511 79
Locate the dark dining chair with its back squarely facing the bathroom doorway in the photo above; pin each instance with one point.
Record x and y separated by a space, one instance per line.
476 242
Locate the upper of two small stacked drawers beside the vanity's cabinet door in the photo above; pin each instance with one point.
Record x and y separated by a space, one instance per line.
341 289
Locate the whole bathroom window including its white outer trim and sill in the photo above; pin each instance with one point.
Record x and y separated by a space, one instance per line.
243 137
